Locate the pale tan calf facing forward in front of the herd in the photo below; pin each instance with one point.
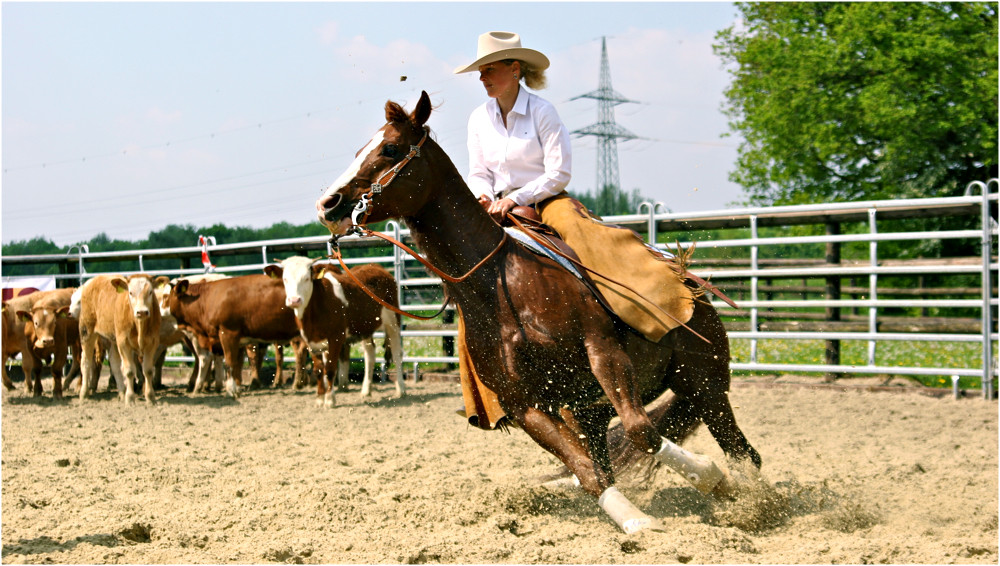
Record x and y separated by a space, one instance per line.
125 313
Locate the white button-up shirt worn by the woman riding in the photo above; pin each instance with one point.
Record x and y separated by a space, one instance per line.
532 154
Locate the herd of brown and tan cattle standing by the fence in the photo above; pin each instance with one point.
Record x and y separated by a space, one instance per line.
132 320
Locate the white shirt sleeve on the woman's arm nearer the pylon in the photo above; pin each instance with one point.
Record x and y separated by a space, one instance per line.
558 157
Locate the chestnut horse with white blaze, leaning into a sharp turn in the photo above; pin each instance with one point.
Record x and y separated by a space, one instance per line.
561 365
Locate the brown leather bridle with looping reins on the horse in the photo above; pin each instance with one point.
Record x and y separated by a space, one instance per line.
362 211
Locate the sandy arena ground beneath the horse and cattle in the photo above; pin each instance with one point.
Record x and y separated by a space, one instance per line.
851 475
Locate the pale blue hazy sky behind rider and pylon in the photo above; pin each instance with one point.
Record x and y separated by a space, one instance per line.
124 118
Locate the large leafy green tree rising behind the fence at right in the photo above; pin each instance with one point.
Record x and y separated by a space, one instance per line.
862 100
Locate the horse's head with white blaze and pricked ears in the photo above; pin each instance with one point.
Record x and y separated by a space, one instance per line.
379 184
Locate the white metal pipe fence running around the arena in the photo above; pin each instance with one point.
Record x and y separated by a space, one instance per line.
753 276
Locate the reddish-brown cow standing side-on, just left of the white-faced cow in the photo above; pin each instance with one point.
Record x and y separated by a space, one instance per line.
233 313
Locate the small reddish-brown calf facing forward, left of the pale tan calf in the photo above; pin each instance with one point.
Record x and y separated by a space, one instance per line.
49 333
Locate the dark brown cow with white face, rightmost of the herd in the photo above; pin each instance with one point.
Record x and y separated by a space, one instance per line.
316 292
